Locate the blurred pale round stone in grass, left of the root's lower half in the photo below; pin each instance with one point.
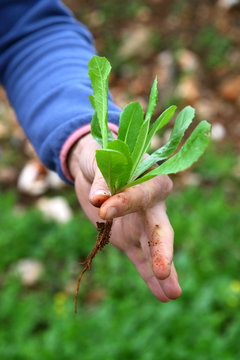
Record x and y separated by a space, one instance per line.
29 271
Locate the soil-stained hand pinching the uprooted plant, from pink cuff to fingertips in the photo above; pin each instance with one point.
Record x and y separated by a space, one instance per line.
141 227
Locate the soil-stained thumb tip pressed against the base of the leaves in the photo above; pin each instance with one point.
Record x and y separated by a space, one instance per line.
99 191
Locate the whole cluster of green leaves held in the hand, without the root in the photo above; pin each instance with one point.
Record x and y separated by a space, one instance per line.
121 161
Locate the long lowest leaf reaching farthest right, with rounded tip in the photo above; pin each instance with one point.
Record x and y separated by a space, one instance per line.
190 152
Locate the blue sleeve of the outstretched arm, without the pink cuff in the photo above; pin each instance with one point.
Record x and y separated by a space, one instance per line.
44 54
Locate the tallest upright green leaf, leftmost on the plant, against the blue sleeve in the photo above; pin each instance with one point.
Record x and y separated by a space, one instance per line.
99 71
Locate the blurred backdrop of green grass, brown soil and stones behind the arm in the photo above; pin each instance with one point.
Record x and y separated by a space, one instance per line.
193 48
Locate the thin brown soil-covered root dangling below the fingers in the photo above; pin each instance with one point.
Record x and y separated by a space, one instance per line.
104 232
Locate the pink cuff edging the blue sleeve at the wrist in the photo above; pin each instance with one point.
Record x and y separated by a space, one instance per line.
75 136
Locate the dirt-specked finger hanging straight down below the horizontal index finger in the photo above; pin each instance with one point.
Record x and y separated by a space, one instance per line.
161 238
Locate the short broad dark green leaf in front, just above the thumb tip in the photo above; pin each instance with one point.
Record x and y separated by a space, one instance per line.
114 166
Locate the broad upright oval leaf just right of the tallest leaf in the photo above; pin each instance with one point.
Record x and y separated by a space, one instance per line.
130 123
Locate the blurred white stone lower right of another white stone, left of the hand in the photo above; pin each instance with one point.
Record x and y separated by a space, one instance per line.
56 209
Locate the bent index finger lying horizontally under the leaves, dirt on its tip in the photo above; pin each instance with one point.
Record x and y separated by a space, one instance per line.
135 198
